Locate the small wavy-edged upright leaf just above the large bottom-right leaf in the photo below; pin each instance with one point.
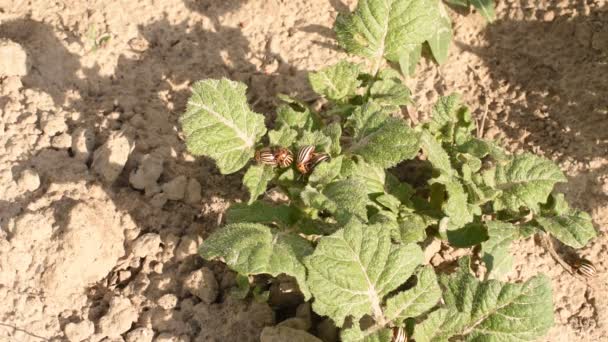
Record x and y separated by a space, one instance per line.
495 251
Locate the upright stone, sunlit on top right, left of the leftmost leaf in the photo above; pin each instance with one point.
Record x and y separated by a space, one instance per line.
111 157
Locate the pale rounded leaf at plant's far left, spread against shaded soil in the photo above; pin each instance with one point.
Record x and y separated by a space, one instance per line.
219 124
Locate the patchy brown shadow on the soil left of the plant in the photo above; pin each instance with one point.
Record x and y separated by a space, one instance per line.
144 98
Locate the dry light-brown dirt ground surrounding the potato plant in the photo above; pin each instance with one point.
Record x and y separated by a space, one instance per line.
102 209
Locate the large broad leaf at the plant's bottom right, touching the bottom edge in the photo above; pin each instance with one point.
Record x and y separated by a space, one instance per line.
489 311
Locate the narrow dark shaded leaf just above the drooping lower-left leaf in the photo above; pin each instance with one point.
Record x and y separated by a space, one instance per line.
261 212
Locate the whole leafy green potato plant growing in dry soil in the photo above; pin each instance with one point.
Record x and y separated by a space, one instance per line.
349 226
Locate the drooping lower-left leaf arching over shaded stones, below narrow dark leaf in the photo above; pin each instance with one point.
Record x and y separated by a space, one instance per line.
252 248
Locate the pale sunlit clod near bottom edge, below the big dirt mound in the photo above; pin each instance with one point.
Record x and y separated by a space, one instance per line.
119 318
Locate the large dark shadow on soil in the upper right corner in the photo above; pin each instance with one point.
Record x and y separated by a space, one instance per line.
559 69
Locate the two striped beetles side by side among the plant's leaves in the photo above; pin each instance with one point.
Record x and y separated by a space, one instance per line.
306 161
